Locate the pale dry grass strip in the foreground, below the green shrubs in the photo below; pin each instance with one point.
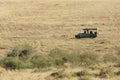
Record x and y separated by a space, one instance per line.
65 74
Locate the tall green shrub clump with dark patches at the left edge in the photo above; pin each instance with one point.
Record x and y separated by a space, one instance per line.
18 58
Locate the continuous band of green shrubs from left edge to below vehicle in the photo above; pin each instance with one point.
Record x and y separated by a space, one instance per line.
23 57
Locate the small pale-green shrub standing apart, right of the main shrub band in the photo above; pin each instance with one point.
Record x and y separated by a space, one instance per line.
109 58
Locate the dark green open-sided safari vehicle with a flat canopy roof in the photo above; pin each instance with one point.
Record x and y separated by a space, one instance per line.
88 33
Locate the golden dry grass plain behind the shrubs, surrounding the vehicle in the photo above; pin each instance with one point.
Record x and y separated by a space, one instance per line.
43 23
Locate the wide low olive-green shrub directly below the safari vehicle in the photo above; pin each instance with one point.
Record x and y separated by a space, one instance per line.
84 59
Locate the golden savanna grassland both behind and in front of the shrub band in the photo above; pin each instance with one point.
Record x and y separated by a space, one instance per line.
51 24
